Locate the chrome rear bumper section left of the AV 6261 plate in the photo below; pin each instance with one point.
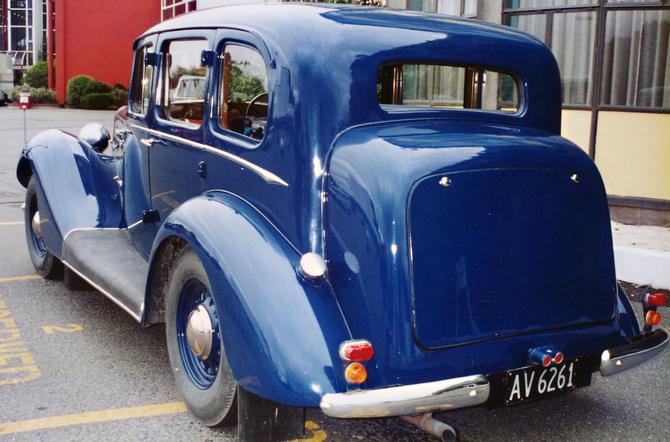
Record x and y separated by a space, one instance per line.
429 397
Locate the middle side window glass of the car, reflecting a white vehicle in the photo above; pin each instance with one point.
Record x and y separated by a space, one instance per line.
185 78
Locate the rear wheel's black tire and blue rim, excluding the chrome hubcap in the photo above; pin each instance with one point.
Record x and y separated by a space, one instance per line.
206 385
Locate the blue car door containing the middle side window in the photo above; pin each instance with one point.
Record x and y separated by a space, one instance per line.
176 135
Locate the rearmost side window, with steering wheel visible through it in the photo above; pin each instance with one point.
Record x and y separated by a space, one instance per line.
244 92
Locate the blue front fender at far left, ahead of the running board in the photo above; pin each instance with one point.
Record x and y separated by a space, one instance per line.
75 185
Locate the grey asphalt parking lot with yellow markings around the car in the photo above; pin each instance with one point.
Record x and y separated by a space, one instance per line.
90 372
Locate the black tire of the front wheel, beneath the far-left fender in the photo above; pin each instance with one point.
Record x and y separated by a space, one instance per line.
45 263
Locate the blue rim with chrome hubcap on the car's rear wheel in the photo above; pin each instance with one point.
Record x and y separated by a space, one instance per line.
198 334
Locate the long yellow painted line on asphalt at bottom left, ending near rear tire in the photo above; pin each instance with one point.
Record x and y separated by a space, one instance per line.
92 417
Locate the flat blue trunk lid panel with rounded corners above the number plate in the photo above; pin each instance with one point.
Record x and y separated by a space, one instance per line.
501 252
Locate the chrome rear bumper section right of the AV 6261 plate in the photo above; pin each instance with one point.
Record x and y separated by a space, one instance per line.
631 355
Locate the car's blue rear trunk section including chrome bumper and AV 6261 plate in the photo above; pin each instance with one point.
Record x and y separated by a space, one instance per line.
476 259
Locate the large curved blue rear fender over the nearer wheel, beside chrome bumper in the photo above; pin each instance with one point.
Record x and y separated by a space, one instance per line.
281 333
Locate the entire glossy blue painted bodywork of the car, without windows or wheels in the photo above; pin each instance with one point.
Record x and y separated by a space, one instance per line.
456 240
